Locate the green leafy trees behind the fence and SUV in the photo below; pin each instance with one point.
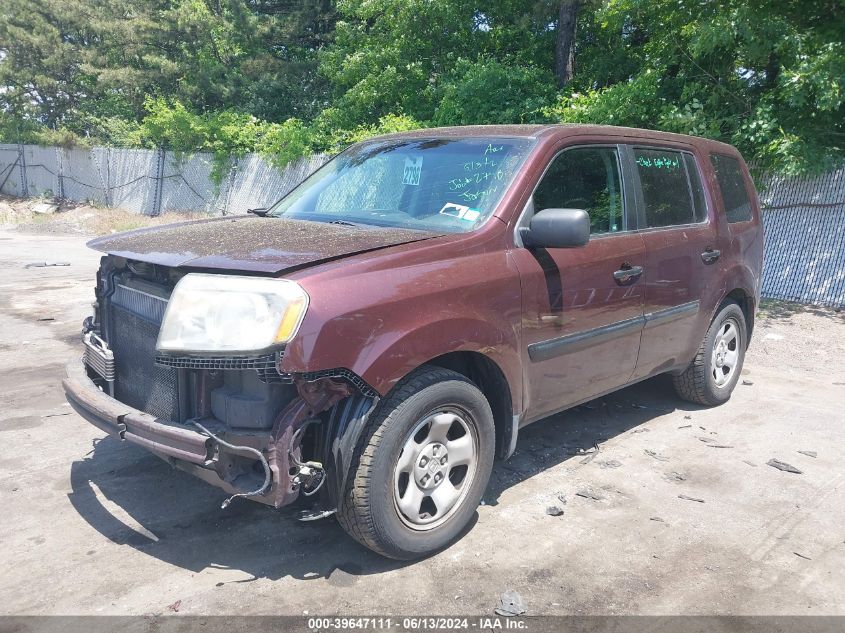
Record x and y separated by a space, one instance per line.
289 77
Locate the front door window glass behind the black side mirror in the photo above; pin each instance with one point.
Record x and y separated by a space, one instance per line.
585 178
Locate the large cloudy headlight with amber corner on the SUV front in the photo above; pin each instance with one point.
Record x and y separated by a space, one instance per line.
224 313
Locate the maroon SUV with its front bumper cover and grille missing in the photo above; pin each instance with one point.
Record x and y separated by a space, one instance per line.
375 338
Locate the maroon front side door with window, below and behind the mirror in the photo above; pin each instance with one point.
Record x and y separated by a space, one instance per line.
582 307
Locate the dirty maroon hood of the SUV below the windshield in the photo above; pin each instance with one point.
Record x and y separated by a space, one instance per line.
255 244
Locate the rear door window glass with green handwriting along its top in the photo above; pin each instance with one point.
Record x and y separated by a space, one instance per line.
666 188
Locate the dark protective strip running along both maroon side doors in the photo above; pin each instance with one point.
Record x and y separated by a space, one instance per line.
545 350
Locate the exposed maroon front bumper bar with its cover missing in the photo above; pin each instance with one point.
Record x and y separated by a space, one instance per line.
181 446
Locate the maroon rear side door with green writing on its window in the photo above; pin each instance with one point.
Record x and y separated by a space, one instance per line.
681 277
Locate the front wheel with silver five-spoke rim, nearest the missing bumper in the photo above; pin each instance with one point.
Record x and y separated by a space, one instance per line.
433 416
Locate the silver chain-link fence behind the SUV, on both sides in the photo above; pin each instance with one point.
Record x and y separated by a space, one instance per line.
804 218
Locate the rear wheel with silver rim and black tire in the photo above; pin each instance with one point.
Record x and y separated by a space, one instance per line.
706 381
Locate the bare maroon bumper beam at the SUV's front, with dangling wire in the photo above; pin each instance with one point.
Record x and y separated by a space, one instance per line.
237 464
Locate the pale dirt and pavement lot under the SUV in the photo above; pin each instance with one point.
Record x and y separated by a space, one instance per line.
91 526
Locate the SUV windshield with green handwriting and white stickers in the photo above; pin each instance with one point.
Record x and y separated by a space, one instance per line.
443 185
